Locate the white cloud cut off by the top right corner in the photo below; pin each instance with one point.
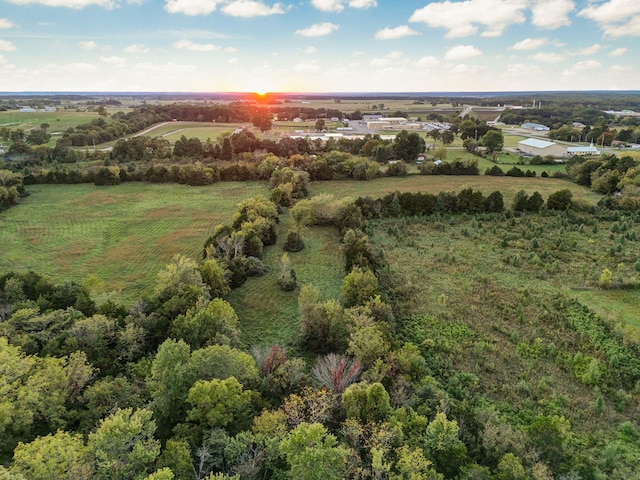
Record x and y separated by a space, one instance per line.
616 18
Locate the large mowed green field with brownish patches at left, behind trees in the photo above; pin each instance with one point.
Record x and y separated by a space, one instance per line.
123 235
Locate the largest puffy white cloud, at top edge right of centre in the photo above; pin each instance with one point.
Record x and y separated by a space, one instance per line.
462 19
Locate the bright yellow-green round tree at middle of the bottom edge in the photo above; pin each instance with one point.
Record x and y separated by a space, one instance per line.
313 453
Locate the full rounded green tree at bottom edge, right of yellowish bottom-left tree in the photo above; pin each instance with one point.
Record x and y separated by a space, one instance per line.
123 446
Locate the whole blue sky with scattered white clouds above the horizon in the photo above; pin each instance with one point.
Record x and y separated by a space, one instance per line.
319 45
